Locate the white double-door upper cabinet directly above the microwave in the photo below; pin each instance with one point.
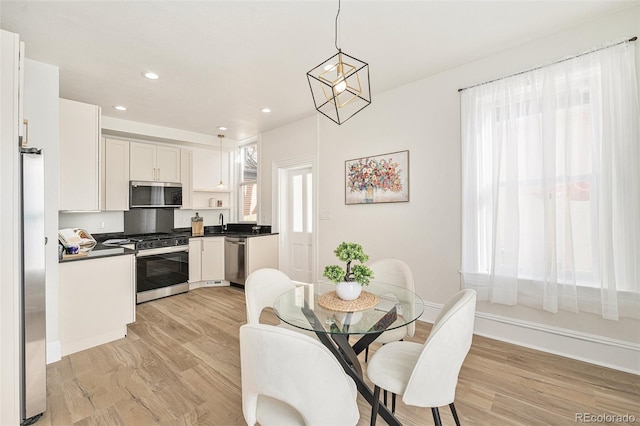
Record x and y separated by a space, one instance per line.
150 162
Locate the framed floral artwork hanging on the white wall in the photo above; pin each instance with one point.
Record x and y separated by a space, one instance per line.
379 179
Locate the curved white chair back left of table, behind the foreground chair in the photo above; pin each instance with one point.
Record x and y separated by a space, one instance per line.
261 289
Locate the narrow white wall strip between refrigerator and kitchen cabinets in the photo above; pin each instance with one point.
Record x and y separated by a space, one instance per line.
41 109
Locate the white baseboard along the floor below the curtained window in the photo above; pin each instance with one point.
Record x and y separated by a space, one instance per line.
599 350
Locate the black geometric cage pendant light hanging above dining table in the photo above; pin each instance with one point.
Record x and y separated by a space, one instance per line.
340 85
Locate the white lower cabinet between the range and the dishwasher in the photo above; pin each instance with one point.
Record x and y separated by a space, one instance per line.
206 259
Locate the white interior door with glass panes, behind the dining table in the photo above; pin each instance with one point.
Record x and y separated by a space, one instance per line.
297 223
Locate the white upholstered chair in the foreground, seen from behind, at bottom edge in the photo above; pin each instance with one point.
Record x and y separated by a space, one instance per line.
289 378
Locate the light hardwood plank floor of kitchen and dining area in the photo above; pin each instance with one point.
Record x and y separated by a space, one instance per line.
180 365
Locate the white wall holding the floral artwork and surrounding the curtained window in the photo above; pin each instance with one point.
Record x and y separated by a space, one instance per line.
424 118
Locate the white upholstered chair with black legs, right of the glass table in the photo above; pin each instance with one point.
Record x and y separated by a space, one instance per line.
427 375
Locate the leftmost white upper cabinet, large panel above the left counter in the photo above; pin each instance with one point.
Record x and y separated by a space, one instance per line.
79 156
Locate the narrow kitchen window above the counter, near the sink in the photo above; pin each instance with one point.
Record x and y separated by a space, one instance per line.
248 183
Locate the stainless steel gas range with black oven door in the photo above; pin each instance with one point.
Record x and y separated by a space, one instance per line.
162 265
